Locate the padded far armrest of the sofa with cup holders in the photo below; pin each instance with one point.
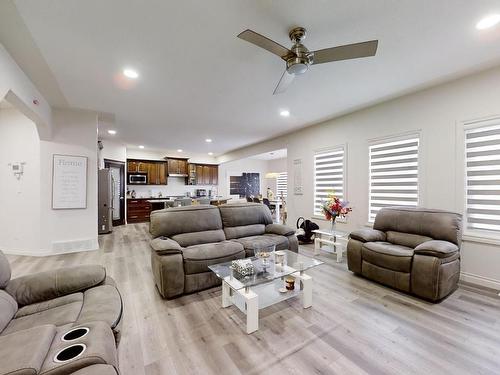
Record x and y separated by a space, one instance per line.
47 285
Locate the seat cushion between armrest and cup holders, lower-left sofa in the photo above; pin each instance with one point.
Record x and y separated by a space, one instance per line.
58 316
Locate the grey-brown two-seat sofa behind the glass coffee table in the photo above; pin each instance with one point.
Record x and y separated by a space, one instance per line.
186 240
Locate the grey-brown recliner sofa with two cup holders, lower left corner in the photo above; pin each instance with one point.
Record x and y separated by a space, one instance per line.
37 312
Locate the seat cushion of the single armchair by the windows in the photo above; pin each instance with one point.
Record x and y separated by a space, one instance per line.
387 255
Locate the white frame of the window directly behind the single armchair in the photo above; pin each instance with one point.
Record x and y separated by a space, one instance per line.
389 139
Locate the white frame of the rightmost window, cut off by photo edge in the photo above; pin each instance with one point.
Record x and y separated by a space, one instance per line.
473 235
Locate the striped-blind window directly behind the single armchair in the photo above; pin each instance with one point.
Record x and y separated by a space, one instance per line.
393 174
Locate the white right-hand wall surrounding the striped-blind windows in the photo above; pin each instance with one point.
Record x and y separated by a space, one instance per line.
435 113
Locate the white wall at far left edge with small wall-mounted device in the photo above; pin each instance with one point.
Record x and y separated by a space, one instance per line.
19 198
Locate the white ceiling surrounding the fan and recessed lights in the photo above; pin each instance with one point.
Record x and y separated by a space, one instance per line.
198 80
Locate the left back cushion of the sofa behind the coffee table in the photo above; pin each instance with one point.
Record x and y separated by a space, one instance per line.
188 219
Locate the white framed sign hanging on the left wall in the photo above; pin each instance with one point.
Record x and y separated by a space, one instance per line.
69 182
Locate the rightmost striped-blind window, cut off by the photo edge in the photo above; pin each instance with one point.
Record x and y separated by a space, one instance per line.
482 185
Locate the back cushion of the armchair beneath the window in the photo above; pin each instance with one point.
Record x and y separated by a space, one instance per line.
437 224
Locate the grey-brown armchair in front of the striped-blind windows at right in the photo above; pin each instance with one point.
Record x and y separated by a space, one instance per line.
416 250
